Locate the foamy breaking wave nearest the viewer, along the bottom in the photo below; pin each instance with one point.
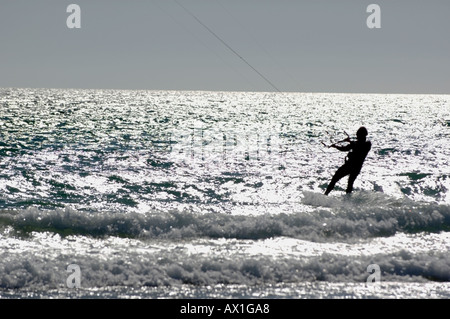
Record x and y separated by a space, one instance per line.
174 267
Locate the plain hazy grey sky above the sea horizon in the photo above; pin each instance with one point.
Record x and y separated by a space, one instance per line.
304 46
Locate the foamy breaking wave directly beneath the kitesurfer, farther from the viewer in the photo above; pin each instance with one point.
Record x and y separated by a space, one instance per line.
330 218
